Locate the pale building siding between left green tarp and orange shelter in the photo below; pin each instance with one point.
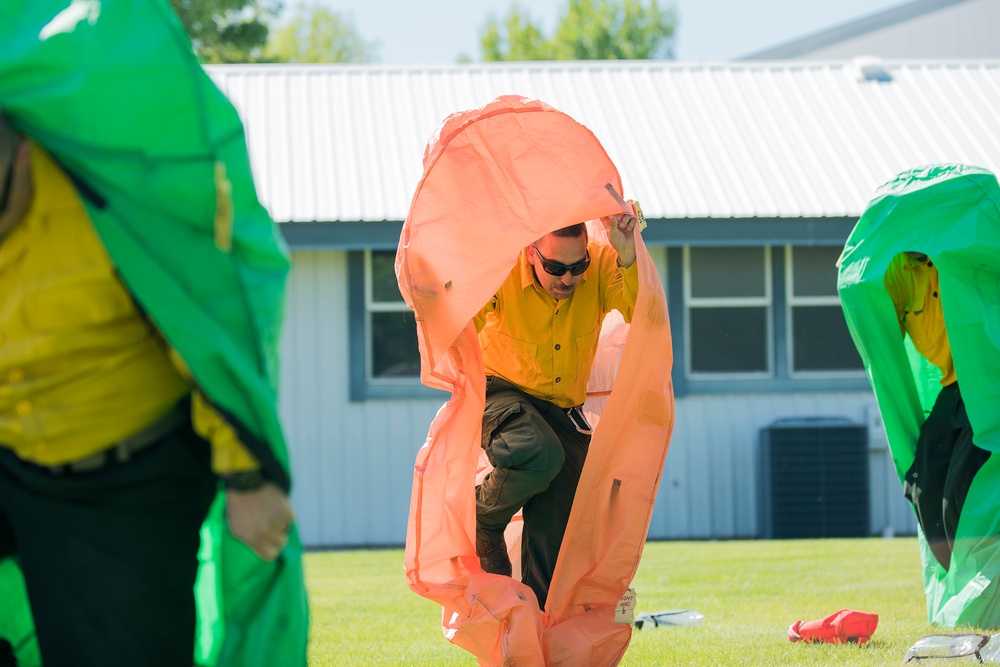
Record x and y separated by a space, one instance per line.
352 462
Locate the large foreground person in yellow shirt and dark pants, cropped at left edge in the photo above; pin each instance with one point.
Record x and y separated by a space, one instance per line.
106 471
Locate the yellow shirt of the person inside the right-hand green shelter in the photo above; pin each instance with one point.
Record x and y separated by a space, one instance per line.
913 286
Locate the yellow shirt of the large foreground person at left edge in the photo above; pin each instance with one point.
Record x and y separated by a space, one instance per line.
80 369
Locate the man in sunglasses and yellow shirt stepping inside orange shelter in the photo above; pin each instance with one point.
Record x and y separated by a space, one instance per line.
539 336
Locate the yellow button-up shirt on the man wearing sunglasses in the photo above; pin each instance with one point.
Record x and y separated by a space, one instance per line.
546 346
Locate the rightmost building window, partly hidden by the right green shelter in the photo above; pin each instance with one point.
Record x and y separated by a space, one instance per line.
819 341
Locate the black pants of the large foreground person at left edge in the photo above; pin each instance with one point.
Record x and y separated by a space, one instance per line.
110 556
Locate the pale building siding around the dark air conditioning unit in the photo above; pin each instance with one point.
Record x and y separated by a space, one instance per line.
711 482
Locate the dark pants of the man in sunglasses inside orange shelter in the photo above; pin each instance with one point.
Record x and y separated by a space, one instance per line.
537 455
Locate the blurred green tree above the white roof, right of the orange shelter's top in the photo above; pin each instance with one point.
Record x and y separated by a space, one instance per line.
589 30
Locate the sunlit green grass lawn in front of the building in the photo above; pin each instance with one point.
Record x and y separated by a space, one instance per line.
363 613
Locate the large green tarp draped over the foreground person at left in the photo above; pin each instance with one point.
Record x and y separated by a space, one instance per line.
113 91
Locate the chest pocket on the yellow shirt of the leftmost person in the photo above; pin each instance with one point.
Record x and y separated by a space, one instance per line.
77 305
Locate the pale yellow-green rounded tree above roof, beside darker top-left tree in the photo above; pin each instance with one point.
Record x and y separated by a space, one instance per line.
314 34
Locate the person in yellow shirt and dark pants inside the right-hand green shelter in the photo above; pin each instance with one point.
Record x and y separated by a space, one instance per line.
946 458
